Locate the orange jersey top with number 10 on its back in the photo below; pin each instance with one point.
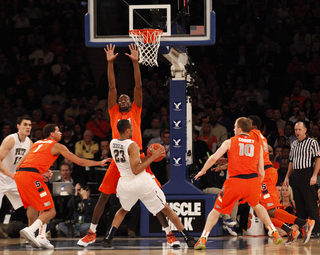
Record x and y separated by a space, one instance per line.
243 156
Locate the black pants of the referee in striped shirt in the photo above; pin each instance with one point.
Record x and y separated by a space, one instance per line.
305 196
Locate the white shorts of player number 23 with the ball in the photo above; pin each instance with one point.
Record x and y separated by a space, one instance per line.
142 187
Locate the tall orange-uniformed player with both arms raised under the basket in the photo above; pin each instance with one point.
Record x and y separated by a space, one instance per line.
123 109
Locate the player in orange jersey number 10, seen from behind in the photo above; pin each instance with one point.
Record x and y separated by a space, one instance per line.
245 169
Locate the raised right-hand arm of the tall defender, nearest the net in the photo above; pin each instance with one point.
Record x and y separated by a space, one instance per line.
138 98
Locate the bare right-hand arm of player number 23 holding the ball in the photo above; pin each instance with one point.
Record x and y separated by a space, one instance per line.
138 166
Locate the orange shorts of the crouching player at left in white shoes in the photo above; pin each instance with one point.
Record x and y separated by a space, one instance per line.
33 191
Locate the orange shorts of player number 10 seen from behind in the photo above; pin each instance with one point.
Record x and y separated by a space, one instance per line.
234 189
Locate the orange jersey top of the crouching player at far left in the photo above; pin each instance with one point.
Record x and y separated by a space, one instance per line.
40 156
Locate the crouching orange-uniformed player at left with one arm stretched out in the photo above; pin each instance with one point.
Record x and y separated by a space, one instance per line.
32 189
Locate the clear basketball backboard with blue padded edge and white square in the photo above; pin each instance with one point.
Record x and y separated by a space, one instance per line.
184 22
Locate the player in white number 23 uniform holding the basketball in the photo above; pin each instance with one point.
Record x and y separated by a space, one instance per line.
135 183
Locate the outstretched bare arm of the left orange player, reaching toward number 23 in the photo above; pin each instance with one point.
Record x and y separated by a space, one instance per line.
64 151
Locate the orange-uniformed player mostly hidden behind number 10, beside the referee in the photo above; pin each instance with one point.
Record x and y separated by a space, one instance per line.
269 194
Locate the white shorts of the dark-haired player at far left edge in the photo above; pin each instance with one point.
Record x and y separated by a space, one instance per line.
11 191
